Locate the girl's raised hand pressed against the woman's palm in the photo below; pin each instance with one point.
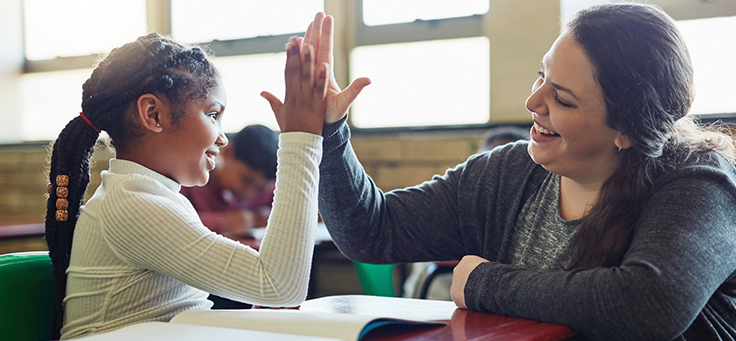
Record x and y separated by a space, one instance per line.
304 103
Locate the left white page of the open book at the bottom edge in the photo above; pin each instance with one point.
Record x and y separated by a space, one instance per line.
162 331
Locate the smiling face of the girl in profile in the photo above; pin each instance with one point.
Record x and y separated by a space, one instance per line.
193 143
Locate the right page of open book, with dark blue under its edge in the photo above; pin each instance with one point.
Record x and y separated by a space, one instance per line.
306 323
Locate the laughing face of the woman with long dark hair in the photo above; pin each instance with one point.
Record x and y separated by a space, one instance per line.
570 135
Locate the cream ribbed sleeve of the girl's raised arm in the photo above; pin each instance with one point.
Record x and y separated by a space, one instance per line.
158 233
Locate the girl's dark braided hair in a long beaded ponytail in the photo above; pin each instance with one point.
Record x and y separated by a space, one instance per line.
151 64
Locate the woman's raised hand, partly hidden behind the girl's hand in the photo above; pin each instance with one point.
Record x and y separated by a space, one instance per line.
320 35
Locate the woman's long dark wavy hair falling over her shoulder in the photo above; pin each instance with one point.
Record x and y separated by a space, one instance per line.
644 69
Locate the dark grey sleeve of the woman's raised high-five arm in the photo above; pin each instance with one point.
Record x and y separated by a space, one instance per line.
413 224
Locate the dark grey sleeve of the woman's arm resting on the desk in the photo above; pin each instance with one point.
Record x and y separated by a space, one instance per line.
682 253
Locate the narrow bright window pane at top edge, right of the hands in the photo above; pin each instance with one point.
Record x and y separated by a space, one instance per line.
381 12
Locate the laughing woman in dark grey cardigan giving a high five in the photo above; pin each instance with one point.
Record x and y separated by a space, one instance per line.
616 219
